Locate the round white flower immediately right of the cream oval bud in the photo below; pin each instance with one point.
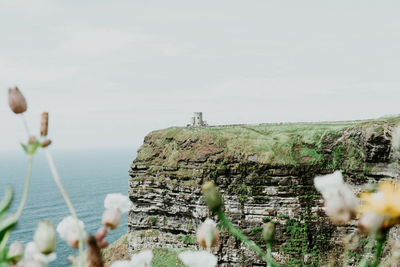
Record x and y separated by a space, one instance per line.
69 229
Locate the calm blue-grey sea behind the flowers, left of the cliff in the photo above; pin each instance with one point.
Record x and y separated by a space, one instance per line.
88 176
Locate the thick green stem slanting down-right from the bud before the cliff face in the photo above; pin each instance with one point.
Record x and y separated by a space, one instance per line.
239 235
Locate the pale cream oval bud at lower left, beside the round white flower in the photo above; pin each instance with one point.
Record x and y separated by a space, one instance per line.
45 237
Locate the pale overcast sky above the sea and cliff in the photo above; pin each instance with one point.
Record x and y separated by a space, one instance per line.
109 72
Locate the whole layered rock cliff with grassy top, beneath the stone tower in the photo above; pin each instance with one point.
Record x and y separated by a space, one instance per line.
264 172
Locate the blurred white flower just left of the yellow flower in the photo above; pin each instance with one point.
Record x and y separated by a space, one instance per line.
340 201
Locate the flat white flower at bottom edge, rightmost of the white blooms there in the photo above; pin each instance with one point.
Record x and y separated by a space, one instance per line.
198 259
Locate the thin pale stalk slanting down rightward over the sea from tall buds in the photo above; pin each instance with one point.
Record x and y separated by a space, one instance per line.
67 201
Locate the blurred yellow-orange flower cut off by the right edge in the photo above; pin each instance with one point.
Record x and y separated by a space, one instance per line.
385 202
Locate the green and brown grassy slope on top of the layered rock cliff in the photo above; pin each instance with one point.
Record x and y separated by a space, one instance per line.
273 144
